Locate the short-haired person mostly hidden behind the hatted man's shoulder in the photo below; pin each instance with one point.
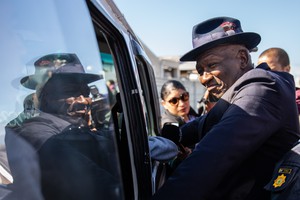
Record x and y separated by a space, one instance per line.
278 60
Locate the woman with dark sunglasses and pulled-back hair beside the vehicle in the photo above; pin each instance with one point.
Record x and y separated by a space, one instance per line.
175 100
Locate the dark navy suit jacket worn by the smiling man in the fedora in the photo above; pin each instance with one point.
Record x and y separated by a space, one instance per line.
241 139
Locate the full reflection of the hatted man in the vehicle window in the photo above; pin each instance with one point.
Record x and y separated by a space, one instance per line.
61 137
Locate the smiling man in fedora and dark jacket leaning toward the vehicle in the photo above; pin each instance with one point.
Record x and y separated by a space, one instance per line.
253 124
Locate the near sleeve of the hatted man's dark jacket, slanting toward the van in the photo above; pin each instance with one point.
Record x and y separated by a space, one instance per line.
252 117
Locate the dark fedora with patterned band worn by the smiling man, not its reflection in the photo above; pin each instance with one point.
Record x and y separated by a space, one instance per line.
217 31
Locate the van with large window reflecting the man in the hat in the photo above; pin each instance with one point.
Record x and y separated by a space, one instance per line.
61 45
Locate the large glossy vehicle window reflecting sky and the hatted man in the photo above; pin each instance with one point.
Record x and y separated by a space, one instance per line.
56 111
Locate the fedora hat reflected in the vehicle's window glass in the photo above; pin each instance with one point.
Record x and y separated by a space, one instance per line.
64 66
